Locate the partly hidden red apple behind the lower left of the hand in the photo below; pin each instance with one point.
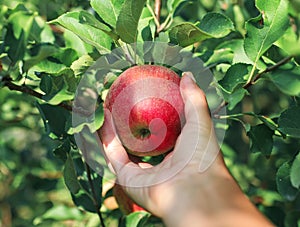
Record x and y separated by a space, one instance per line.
125 203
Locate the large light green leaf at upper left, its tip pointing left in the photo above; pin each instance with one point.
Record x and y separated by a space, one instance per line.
77 23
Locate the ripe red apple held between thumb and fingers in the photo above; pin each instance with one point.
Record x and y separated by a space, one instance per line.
147 109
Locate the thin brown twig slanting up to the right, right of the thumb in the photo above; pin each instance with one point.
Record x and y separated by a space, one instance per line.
256 77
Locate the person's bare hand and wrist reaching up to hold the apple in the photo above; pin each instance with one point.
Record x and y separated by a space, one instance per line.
193 196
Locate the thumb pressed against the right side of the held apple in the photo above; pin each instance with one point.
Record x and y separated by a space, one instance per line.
197 141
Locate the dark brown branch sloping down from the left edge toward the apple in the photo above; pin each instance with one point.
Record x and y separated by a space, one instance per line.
24 89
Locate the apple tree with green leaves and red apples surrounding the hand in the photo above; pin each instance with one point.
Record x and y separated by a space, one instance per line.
62 62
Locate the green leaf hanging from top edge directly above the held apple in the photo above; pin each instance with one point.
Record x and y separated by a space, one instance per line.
128 20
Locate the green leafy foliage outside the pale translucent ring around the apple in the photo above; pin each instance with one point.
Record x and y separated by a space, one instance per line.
252 48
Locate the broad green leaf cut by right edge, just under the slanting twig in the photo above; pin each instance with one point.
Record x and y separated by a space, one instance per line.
287 81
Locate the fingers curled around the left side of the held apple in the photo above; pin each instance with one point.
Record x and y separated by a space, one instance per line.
114 150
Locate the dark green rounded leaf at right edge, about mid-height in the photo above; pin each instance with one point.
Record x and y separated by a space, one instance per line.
289 122
